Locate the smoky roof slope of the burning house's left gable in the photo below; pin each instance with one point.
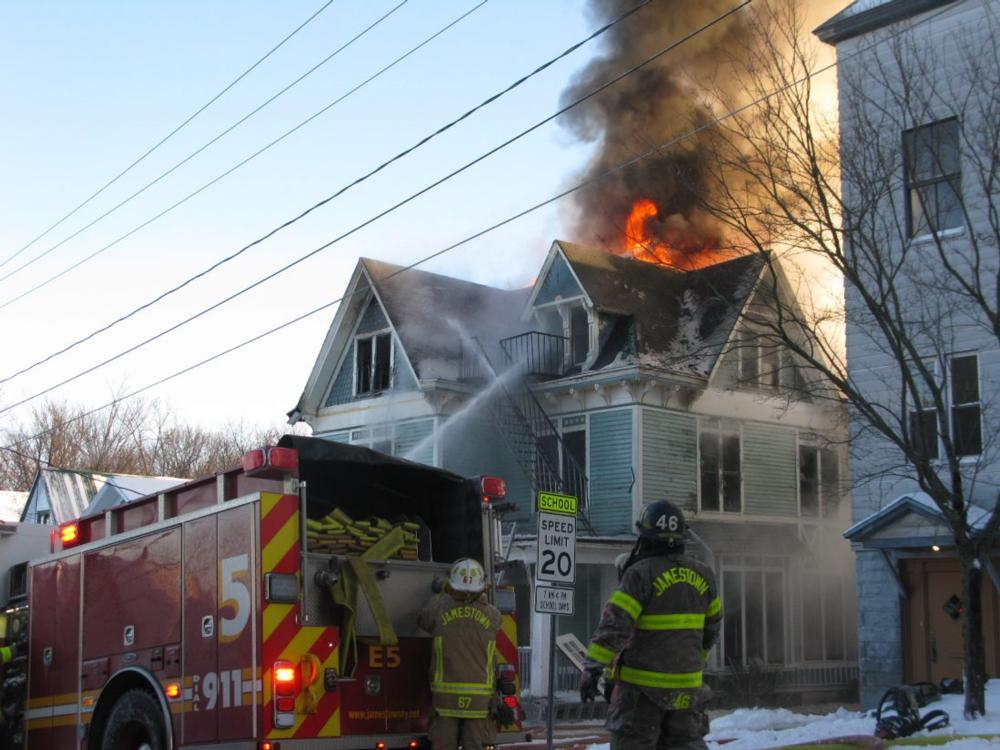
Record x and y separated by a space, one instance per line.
432 314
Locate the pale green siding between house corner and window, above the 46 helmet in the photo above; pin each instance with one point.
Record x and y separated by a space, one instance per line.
669 458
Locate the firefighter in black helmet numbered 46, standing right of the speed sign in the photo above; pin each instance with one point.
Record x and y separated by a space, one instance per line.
657 628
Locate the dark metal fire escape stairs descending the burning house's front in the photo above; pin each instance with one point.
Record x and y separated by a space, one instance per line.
525 427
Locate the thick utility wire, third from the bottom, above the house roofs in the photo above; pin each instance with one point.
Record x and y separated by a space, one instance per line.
341 191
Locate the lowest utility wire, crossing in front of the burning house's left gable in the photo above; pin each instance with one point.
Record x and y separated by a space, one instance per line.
655 151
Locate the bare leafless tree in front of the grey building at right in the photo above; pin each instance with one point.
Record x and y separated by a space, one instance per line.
906 214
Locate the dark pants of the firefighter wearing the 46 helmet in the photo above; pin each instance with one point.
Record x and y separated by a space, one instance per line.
637 723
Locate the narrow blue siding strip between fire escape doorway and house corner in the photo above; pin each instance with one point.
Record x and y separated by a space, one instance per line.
610 470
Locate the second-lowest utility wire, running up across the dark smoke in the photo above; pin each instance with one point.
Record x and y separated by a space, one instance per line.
384 212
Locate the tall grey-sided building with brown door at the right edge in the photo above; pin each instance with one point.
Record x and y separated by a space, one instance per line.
910 59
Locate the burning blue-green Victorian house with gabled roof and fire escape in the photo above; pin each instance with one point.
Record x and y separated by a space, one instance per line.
623 383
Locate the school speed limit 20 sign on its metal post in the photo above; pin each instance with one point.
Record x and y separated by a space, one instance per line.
555 566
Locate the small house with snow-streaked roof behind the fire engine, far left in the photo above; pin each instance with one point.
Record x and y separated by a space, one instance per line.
60 495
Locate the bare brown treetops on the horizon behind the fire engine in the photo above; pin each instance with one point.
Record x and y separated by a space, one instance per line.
133 436
